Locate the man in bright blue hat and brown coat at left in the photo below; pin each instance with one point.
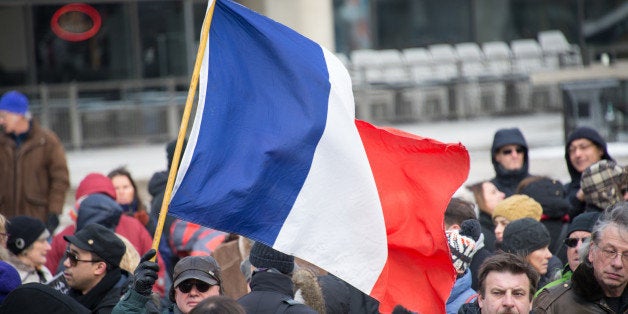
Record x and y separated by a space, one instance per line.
35 174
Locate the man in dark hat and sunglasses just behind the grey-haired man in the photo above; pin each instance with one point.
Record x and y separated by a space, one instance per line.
578 232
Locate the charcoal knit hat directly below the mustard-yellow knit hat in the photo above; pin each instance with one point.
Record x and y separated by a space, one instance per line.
524 236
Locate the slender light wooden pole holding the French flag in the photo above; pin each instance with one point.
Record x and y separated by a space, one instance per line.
183 128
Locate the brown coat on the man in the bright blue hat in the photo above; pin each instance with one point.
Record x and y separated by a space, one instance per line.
35 175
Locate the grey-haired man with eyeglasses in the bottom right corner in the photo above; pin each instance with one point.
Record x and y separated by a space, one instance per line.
598 284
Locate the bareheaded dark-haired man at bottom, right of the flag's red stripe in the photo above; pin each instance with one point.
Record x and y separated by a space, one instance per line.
507 284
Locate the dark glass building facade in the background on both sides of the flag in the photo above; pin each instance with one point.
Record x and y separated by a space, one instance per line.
144 39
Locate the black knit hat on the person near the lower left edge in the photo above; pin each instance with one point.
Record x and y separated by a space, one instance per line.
23 231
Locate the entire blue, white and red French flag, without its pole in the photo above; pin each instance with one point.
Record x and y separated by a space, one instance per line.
276 154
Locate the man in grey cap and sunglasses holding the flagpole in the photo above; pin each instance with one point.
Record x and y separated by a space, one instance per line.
195 278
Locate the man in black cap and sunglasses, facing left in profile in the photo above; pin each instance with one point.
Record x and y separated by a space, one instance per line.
92 270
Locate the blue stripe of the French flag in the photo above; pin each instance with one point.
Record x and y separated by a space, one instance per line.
265 111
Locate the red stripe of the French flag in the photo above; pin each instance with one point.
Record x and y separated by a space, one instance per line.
415 178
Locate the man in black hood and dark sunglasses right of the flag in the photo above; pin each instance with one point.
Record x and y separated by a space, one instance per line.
509 155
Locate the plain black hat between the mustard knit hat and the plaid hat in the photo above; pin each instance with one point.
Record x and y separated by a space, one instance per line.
550 194
